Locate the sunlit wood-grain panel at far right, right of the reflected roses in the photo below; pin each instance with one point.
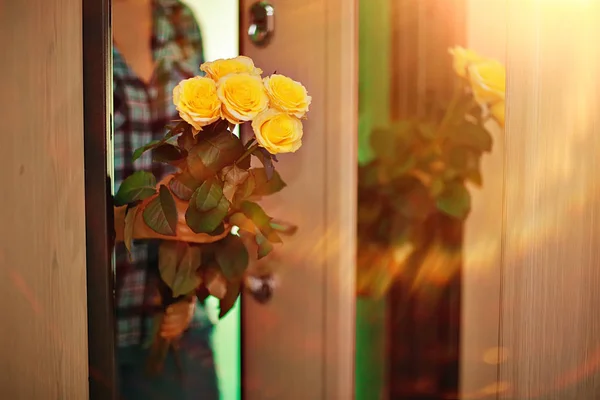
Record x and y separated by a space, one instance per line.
550 325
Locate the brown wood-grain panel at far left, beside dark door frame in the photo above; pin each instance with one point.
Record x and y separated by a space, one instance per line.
43 338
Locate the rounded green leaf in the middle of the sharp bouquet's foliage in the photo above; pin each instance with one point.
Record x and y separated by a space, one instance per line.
199 217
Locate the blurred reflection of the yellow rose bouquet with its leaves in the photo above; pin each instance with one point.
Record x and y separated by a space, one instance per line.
412 194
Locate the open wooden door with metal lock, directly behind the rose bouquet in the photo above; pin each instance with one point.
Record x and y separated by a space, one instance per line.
300 345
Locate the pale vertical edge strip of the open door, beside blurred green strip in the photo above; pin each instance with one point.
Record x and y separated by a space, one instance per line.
341 178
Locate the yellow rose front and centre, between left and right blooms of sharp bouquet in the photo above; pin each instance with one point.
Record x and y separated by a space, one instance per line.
243 97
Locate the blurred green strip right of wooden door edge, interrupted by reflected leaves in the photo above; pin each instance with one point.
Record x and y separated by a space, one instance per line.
374 106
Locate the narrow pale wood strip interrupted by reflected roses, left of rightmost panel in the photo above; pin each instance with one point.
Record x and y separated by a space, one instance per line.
486 26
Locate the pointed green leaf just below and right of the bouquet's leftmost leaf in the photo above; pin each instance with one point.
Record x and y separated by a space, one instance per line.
161 213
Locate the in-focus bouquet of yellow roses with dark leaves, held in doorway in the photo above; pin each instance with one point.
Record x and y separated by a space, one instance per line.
203 212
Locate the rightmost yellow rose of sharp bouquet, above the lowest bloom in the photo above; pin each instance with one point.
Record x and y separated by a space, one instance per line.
287 95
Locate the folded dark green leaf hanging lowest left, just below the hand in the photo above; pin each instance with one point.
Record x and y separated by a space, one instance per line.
178 263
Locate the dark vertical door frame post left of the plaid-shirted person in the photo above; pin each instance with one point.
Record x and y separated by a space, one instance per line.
97 101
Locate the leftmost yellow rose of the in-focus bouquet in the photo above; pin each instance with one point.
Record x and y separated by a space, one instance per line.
197 102
